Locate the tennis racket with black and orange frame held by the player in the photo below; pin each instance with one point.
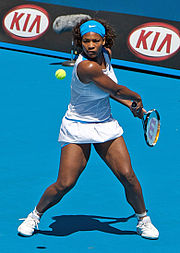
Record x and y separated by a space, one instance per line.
151 126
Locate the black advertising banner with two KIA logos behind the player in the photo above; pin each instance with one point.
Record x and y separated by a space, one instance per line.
143 43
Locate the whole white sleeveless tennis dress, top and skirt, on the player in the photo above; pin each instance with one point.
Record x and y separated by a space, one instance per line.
88 118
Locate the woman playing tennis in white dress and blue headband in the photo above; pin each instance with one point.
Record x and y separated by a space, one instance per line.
89 120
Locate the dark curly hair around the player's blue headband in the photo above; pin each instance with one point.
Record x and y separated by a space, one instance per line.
109 37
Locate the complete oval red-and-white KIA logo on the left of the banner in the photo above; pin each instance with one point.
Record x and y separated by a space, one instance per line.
26 22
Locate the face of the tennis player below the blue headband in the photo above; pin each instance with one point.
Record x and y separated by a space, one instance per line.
92 44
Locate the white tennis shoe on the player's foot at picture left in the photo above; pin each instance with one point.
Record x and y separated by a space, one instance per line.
29 225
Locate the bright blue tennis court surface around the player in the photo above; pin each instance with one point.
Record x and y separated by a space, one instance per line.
94 216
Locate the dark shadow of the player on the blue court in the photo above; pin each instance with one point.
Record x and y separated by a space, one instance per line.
68 224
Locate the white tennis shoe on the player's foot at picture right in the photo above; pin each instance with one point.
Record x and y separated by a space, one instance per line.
146 229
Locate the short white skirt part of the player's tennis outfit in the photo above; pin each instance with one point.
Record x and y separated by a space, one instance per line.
72 131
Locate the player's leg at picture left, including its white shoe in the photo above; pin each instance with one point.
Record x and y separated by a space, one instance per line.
74 158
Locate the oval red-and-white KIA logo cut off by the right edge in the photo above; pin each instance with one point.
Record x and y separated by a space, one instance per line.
154 41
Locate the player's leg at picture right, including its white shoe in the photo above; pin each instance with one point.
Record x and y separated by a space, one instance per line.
116 156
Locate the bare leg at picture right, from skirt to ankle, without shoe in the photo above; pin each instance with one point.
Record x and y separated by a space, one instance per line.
116 156
